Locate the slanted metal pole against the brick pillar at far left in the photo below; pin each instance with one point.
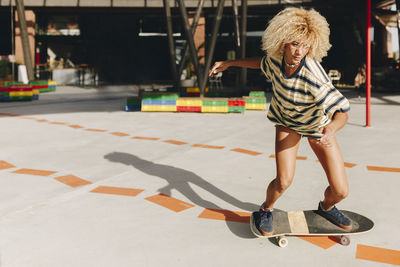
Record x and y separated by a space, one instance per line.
25 39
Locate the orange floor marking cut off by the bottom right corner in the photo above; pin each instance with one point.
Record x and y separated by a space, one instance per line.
378 254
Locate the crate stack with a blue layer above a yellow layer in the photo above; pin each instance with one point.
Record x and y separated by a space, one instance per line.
159 102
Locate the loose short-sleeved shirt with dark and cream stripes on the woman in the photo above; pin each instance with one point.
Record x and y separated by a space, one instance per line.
305 101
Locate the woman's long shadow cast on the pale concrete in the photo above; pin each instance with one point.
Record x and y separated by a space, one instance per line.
180 180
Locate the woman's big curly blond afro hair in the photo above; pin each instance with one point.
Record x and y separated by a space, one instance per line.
293 24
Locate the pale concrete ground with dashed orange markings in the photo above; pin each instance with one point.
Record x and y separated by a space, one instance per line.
84 183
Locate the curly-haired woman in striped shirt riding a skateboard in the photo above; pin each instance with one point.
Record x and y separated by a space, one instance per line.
304 104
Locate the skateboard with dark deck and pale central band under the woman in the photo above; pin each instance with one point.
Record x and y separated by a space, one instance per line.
311 223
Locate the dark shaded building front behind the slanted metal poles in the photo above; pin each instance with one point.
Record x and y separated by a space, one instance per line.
125 42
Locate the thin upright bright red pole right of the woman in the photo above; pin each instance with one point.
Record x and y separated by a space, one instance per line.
368 69
